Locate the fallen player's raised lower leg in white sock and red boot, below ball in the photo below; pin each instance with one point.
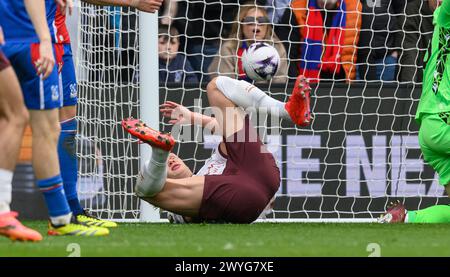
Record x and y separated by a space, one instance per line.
244 94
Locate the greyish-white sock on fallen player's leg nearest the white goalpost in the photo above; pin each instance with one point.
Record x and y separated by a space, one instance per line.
154 174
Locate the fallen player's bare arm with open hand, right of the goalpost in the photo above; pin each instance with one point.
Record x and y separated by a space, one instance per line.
179 114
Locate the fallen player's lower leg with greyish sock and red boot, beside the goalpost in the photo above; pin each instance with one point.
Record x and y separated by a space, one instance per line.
152 177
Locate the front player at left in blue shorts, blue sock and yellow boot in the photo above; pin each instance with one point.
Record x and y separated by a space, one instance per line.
31 54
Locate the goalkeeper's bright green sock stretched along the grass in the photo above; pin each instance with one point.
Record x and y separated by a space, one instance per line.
434 214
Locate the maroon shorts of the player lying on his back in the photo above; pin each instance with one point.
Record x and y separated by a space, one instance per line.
250 179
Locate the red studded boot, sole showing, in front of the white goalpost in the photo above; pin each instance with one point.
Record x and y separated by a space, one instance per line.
140 130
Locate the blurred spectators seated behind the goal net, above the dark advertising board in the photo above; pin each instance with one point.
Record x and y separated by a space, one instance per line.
327 40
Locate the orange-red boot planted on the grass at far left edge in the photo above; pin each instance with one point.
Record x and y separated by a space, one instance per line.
12 228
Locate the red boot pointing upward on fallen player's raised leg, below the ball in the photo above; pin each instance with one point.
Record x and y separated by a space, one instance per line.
298 105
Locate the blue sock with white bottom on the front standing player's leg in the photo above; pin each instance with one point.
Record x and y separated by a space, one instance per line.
55 198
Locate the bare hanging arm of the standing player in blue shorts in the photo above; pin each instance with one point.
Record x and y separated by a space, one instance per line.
36 11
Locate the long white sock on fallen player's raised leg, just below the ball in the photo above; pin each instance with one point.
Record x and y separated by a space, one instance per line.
246 95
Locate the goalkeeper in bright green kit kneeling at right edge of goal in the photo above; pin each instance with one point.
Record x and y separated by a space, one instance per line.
433 115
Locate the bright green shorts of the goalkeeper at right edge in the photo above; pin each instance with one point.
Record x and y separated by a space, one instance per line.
434 139
